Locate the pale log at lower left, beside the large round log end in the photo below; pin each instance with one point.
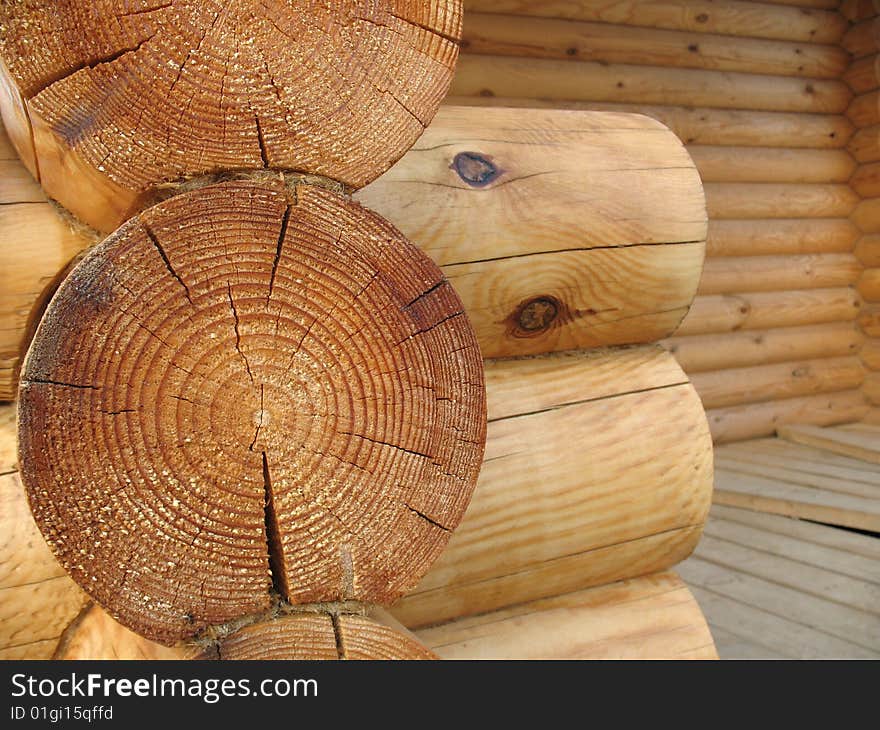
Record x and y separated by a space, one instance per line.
37 599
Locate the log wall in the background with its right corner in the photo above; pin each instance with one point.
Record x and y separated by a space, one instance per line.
772 102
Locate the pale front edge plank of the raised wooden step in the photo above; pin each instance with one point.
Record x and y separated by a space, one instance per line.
781 498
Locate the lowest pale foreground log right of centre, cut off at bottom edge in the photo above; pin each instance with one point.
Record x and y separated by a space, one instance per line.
654 617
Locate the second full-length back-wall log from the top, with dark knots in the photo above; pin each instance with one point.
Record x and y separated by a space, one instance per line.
512 35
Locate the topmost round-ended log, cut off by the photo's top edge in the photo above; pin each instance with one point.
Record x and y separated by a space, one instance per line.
104 104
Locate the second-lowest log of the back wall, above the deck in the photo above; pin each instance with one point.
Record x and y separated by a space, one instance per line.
763 383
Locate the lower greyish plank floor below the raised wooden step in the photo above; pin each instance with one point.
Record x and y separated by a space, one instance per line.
776 587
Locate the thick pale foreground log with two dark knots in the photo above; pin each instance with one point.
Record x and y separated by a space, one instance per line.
528 223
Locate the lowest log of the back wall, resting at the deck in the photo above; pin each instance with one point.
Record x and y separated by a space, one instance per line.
755 420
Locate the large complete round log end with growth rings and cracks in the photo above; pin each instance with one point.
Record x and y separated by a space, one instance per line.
291 336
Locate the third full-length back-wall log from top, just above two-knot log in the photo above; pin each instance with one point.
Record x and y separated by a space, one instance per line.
593 81
